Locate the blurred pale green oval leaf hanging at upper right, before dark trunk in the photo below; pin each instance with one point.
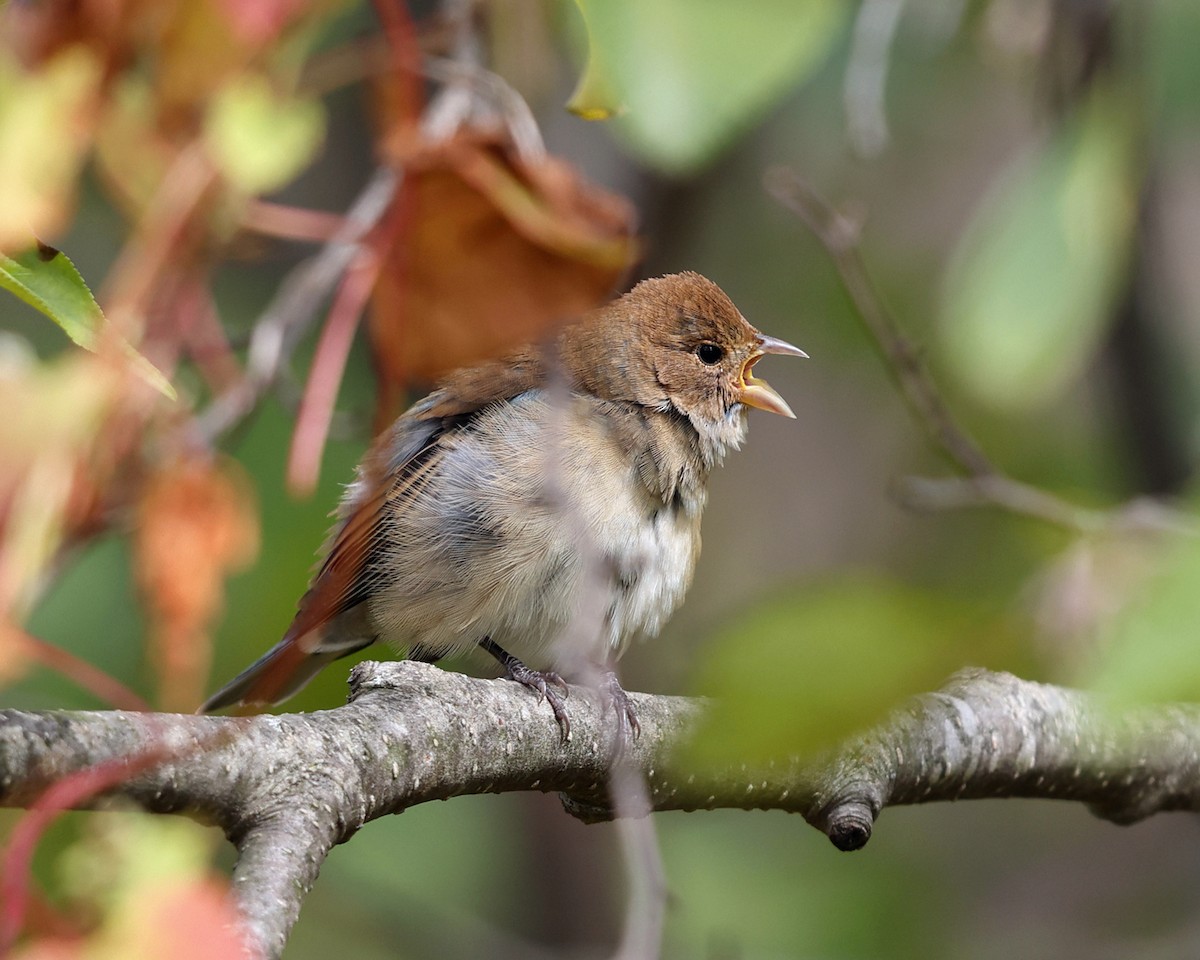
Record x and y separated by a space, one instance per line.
1030 292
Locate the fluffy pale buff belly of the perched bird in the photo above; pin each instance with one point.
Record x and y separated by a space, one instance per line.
538 536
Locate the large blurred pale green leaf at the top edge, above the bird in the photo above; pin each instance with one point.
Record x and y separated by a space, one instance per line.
689 76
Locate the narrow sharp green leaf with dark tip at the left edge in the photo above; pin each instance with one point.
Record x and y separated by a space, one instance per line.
46 279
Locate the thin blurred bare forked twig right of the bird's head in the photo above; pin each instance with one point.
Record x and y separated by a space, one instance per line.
985 483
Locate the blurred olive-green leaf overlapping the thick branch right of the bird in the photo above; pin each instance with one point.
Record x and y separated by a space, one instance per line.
802 673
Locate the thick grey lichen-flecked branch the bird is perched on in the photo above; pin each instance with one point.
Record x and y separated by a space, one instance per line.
287 789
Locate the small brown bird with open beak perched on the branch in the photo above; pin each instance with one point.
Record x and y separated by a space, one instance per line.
544 507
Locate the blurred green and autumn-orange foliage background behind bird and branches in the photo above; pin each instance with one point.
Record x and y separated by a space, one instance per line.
1025 172
